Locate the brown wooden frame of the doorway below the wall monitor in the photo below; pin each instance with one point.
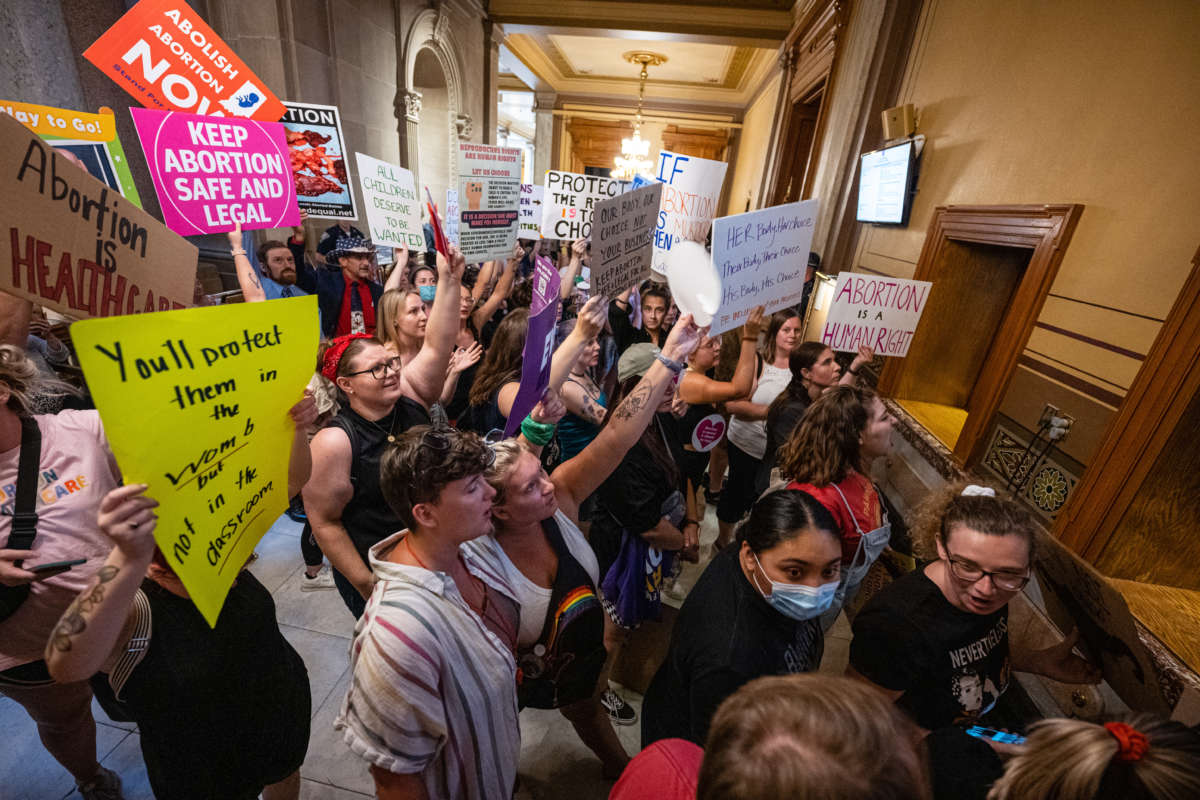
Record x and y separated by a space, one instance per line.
1047 231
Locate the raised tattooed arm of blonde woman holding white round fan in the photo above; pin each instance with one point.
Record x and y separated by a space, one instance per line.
580 477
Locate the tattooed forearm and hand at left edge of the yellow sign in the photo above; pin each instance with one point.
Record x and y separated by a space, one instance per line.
92 627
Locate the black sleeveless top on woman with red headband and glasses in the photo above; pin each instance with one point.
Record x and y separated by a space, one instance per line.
368 518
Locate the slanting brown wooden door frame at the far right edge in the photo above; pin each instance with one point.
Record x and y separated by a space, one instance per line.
1139 431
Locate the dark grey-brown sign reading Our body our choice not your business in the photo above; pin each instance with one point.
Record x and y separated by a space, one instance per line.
621 239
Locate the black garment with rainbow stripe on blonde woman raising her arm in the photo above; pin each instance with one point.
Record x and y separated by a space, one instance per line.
565 665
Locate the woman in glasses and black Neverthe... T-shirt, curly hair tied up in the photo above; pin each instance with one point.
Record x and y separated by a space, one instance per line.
937 640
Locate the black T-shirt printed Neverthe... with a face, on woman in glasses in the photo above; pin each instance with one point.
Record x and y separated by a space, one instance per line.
952 665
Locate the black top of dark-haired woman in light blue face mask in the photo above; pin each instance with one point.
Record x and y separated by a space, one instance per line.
727 636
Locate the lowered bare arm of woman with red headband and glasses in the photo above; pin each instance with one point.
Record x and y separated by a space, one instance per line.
326 496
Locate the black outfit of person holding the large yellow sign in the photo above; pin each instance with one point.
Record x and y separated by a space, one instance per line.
223 712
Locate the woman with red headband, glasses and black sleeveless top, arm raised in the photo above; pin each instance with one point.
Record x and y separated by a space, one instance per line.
380 400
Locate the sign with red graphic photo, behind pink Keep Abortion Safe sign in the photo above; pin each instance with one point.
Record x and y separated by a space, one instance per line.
319 161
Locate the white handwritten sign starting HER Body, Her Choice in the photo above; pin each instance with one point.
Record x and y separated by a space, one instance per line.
761 258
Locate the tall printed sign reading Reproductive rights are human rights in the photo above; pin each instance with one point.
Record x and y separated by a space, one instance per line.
489 201
